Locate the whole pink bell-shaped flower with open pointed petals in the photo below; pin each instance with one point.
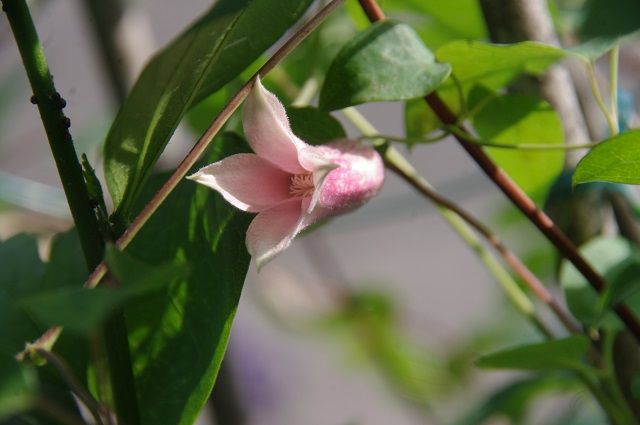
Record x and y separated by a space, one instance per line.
289 183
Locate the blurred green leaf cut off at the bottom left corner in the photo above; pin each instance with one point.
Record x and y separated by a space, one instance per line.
18 386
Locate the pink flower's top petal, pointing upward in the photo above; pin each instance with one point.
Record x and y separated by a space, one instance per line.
268 132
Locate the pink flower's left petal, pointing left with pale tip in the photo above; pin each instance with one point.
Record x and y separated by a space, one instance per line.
247 181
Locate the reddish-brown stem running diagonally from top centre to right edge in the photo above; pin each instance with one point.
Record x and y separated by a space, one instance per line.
516 195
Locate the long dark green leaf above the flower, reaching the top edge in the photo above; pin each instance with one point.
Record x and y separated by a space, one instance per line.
216 48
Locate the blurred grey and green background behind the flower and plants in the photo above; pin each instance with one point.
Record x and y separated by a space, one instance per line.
373 319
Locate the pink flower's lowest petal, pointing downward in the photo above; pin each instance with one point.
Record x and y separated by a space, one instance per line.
272 231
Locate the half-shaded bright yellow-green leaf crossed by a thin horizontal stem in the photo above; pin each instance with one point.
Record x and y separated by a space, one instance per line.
516 119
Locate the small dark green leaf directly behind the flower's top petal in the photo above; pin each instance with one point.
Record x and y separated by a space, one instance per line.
314 126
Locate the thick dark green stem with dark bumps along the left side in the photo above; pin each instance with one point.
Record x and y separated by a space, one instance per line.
56 125
